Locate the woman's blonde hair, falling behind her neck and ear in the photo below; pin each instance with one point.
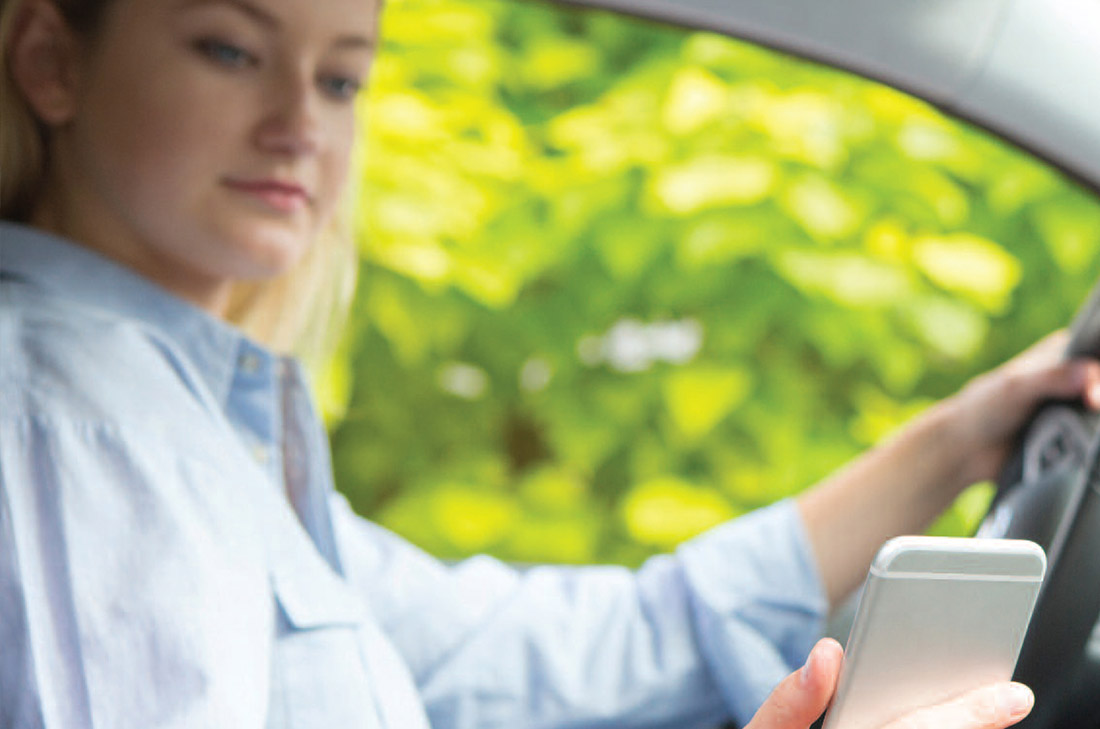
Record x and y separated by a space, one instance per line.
301 312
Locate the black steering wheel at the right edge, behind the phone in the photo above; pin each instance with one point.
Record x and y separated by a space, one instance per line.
1050 493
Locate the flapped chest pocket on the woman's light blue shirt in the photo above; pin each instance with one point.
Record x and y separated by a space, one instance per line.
318 677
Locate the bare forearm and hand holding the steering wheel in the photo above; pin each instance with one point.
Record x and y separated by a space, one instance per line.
903 485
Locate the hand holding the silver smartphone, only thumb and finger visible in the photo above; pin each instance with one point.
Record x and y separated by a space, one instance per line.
804 697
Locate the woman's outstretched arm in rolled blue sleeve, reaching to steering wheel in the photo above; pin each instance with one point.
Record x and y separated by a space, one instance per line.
690 637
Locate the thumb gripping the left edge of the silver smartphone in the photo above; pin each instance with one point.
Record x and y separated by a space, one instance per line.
802 697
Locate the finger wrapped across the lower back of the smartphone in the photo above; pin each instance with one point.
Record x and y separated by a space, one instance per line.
993 708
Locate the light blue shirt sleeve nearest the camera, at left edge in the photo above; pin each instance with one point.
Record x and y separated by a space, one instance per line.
127 598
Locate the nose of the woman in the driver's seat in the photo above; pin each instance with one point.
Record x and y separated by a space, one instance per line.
292 125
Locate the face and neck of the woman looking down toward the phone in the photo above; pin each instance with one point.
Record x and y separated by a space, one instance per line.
210 140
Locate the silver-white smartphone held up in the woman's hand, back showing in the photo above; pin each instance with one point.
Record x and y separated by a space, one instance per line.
938 617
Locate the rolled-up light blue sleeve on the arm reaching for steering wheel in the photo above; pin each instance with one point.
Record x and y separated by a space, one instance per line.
691 639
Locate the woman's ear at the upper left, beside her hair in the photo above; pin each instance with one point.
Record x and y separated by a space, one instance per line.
43 54
